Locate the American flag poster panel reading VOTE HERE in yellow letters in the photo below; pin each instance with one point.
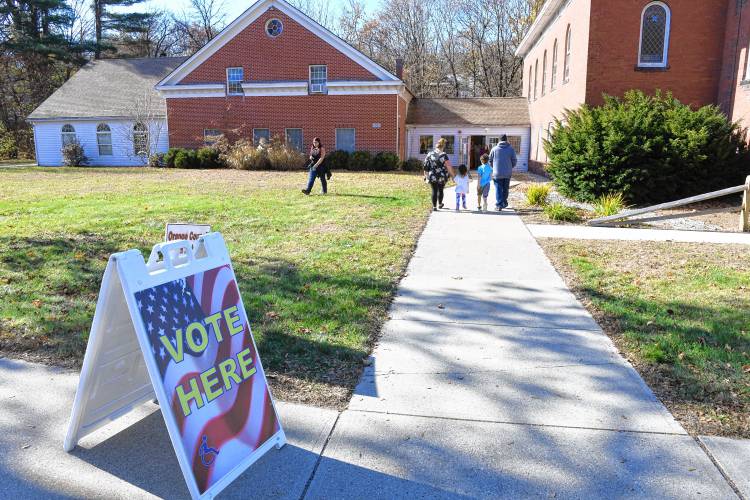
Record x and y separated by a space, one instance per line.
218 395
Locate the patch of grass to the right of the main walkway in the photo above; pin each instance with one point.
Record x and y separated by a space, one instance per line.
680 312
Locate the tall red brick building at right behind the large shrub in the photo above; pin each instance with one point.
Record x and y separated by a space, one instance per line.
578 50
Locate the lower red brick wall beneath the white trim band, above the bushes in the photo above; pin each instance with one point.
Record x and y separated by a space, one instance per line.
317 115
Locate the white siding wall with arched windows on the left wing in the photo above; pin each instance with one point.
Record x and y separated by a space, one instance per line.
49 142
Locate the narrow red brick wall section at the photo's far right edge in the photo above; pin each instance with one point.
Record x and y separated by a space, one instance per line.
734 96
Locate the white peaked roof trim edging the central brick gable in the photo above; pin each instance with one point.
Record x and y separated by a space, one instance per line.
253 13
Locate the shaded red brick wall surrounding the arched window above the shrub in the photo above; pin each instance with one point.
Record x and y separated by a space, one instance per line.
695 50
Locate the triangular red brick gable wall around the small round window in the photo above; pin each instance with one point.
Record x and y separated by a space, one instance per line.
286 57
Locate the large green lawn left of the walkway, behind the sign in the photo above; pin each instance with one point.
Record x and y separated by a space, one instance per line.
316 273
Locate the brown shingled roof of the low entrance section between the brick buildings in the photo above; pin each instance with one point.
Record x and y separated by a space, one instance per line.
479 111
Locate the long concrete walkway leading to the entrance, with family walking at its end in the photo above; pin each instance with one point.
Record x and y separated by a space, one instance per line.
492 381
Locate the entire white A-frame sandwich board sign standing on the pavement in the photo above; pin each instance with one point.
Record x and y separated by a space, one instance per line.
175 327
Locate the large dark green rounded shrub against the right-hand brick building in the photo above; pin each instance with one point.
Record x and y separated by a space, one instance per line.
649 148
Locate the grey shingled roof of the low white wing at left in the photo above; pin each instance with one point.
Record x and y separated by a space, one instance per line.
107 88
